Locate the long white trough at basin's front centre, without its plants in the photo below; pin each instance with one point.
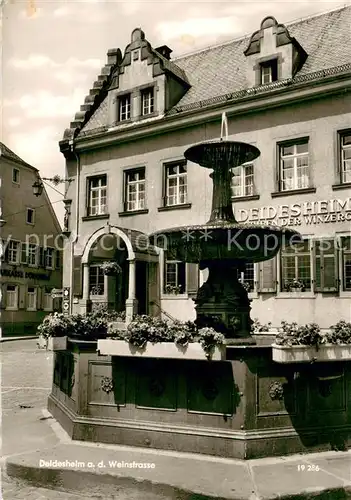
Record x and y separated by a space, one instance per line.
170 350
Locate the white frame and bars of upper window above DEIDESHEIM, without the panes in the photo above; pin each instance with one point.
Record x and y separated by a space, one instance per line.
294 157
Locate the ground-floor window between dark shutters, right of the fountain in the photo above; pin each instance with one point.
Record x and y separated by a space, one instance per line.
296 267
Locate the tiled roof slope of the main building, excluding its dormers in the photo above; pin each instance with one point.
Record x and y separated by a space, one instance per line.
218 74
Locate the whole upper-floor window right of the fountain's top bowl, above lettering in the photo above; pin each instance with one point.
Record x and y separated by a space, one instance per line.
294 165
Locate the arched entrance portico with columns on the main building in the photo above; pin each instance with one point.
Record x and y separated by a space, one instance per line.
128 247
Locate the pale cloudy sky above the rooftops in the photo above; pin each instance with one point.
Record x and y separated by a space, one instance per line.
52 51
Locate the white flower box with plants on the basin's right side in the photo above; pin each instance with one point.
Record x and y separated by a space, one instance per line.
298 344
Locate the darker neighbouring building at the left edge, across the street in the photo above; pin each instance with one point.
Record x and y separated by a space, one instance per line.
31 256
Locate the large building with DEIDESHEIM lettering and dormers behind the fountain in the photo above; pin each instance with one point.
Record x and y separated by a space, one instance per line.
285 89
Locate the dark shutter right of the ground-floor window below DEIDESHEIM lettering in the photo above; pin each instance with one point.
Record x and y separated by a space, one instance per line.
326 265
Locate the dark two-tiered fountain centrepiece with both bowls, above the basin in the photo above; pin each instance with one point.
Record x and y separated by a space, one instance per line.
222 244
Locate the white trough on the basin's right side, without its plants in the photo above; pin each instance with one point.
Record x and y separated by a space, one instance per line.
306 354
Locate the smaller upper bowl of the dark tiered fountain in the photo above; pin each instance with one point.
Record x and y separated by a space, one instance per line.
222 153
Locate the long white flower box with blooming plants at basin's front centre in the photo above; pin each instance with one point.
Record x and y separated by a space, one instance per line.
155 338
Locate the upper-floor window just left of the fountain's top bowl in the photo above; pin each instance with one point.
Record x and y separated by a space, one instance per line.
176 184
